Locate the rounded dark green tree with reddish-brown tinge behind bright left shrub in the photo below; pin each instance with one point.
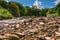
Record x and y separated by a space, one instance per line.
14 9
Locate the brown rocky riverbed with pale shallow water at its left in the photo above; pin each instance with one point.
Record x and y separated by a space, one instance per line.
30 28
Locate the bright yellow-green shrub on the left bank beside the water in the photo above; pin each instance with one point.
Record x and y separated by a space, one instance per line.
4 14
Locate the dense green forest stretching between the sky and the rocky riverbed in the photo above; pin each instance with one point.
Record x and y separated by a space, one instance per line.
13 9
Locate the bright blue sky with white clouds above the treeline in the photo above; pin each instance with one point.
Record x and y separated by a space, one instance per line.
42 3
